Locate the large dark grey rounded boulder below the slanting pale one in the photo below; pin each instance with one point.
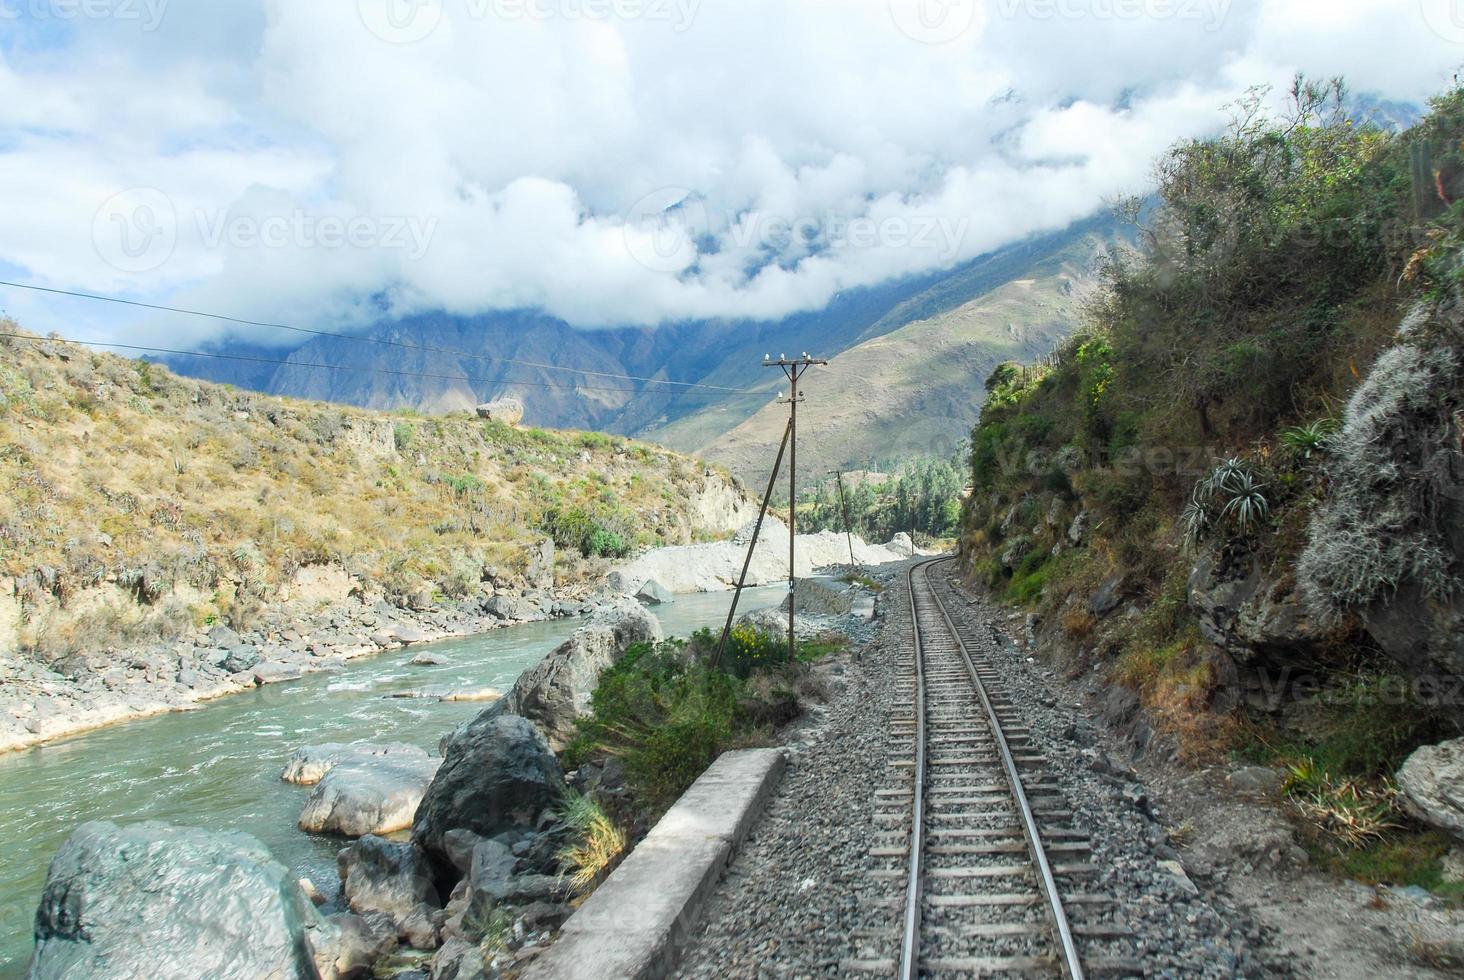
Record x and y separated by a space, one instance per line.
498 774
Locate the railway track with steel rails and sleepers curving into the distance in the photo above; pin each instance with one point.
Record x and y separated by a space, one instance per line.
973 833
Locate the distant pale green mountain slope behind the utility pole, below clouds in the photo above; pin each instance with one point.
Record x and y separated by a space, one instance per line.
914 390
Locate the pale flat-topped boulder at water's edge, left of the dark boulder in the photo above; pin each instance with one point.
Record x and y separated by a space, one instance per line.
377 798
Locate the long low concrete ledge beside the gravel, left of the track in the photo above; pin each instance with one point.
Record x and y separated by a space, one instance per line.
635 924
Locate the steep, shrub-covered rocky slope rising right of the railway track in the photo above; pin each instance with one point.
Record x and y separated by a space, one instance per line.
1238 490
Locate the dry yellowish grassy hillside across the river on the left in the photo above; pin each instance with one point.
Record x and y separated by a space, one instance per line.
135 503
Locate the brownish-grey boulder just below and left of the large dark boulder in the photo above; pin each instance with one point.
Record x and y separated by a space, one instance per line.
395 880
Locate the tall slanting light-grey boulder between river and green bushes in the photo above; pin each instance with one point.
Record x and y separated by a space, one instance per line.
557 692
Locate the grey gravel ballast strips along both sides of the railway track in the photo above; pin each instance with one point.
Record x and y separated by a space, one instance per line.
800 899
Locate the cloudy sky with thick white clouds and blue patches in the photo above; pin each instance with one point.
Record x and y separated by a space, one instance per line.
333 163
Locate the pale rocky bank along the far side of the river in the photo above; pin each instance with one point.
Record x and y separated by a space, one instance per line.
330 619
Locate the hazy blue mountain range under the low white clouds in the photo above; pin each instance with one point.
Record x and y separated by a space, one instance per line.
443 363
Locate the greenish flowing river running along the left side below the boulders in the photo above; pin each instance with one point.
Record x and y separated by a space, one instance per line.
219 768
